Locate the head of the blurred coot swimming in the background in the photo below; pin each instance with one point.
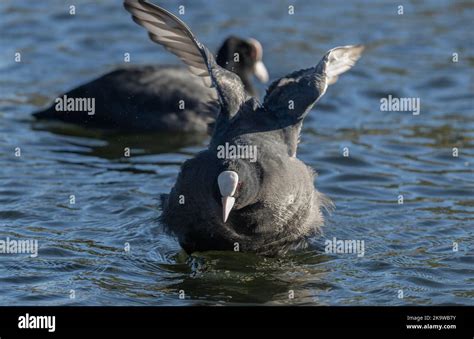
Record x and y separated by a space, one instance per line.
243 57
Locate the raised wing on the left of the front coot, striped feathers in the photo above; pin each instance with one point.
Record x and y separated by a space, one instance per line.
169 31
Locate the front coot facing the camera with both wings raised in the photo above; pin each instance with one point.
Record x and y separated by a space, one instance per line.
266 206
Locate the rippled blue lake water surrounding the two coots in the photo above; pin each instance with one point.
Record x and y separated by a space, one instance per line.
410 249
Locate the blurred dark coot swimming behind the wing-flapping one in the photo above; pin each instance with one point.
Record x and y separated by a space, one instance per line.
147 98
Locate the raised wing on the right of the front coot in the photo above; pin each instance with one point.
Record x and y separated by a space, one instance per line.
292 96
